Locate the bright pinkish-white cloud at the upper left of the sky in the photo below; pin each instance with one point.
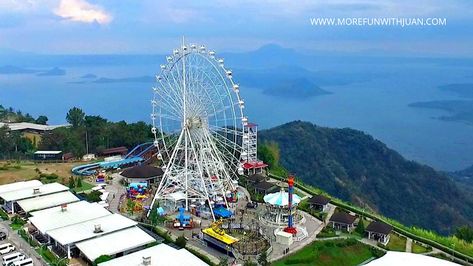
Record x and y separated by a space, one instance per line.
82 11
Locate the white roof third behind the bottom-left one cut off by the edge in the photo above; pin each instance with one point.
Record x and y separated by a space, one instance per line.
76 212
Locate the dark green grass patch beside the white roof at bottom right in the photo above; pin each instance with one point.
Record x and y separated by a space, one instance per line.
333 252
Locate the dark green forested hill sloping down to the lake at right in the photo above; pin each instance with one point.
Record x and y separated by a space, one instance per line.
354 166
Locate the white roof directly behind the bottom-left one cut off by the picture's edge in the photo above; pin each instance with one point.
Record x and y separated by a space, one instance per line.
114 243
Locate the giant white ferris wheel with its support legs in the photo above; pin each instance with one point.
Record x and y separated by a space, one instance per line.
198 126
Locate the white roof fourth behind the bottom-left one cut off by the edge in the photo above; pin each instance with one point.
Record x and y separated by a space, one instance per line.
47 201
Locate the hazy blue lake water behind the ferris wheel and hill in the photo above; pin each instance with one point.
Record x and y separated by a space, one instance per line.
378 104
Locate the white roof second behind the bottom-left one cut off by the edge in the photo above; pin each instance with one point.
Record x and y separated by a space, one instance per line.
85 230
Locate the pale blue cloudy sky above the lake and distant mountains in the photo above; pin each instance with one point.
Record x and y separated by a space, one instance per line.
155 26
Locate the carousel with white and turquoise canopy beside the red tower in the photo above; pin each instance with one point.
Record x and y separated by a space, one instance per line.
277 209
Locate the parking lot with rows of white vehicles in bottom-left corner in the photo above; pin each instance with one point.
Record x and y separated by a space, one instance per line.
20 245
